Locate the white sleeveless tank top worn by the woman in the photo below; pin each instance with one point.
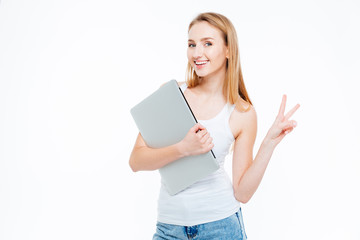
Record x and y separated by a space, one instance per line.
211 198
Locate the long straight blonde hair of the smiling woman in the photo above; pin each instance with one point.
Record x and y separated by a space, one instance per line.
234 83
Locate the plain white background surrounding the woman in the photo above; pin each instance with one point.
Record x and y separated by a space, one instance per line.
70 71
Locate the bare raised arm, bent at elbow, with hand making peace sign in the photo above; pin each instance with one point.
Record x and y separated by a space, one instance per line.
247 173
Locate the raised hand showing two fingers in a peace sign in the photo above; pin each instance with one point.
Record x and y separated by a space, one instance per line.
282 124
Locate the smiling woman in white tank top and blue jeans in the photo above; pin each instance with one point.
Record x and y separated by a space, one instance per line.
215 91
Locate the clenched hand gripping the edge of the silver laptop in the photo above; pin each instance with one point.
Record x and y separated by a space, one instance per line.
197 141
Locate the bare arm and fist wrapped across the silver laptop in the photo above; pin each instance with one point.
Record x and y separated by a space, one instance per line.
146 158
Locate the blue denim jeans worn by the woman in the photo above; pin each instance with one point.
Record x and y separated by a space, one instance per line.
230 228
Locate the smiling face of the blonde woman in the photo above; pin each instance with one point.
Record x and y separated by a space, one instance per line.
207 52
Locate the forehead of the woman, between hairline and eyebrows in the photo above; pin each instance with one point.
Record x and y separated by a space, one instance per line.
202 30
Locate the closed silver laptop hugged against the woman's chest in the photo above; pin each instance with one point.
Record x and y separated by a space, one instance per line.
163 119
